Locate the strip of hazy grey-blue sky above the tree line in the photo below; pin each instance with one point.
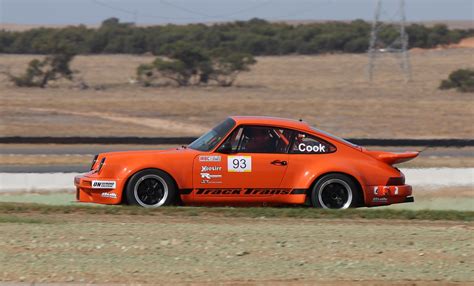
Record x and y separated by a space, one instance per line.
93 12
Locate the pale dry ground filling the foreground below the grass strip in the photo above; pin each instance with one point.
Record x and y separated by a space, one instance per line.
137 249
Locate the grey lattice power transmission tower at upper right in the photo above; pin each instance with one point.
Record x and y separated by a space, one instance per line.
398 47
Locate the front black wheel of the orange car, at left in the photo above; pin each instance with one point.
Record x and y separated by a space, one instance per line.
151 189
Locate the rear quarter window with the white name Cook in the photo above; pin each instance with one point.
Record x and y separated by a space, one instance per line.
307 144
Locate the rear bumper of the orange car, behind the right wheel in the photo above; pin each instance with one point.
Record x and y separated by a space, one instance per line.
387 195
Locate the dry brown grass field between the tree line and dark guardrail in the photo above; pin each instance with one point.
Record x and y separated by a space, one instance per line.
328 91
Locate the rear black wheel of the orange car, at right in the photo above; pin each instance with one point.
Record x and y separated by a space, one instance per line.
335 191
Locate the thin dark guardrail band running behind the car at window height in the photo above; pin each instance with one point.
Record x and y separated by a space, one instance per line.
187 140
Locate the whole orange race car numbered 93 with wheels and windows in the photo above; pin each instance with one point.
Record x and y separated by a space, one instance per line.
250 161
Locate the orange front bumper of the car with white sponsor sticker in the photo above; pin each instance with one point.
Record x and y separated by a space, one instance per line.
91 188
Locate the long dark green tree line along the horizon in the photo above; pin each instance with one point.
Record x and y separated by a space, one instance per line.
255 37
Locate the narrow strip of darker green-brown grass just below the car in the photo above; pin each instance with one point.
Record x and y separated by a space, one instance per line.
255 212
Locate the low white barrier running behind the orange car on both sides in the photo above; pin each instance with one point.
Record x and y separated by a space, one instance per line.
427 177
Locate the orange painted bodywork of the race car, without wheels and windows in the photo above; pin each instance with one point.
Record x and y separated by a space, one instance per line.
196 173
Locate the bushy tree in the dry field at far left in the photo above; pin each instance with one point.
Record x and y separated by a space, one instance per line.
39 73
